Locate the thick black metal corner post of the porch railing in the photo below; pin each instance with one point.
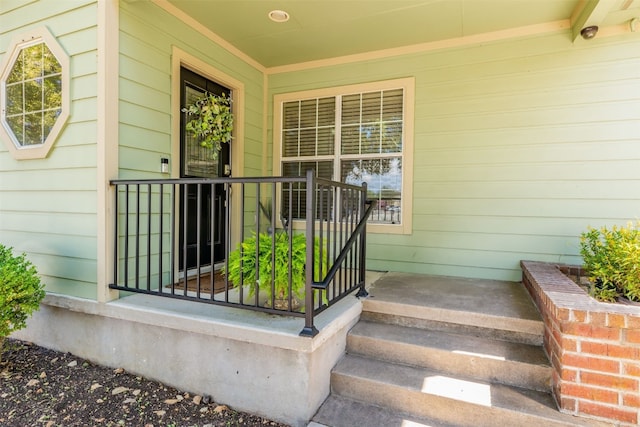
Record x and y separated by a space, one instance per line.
309 329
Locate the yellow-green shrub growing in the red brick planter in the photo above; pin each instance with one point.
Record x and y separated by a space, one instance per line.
612 259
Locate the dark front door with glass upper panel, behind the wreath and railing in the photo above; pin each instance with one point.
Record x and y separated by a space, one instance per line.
198 162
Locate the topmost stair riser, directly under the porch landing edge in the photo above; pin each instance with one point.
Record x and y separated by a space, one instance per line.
534 335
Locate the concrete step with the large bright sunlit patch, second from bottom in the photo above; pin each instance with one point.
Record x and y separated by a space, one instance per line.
455 400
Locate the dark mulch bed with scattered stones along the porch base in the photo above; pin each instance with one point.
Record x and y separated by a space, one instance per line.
40 387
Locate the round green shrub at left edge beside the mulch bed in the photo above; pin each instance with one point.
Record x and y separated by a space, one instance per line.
20 292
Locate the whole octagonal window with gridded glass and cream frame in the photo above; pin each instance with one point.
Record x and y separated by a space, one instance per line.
34 102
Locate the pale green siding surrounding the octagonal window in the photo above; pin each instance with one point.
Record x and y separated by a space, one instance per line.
48 206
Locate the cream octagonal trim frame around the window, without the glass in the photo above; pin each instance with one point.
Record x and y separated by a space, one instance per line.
38 35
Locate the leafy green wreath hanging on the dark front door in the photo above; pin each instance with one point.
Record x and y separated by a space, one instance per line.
211 120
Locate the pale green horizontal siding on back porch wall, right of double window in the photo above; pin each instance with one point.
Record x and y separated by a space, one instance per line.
519 146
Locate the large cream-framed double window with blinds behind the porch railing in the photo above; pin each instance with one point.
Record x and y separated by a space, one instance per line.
354 134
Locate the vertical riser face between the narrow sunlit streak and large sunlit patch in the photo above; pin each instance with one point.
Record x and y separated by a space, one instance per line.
505 372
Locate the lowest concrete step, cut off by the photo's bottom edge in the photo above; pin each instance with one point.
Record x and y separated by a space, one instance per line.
339 411
